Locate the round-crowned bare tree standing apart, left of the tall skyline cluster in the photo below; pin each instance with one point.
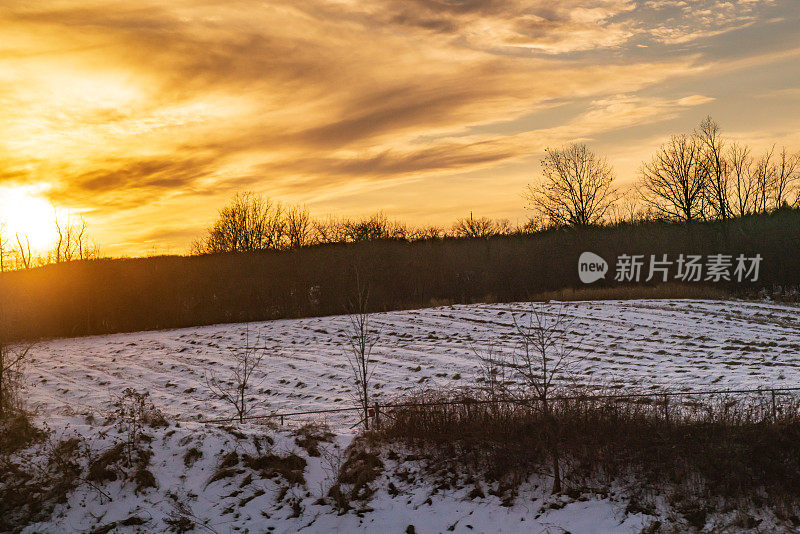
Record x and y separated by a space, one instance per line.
577 189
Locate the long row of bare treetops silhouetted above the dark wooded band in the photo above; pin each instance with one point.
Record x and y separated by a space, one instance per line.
696 176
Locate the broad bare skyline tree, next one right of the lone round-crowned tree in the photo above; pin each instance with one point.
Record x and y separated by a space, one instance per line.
674 183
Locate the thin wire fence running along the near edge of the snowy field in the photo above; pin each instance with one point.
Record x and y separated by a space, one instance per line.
670 400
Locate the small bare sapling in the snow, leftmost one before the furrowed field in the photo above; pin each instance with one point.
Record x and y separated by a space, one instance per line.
236 390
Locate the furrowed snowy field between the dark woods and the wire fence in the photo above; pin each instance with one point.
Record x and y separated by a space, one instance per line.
677 344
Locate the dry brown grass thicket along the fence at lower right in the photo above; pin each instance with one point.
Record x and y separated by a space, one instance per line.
702 453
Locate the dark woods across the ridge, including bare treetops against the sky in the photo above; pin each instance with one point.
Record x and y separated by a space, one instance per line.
700 194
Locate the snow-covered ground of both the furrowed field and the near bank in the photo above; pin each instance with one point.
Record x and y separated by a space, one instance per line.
677 344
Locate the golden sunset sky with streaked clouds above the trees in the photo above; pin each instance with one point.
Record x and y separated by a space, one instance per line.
145 117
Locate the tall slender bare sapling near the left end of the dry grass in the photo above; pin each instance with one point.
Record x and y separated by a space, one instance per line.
361 340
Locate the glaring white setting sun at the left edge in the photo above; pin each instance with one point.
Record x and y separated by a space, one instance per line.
25 213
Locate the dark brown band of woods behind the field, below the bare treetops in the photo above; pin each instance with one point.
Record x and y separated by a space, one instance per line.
105 295
